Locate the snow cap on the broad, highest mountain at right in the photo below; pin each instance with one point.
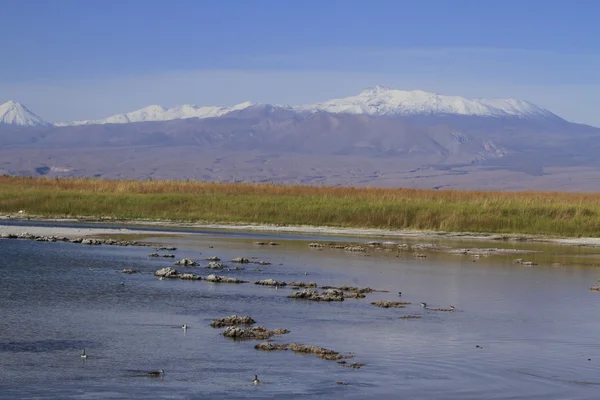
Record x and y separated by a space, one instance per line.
383 101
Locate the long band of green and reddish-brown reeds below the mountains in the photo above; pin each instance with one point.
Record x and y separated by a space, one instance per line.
542 213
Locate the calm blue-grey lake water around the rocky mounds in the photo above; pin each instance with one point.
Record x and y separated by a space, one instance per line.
538 326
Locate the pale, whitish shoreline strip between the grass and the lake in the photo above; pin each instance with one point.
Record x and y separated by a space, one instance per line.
303 229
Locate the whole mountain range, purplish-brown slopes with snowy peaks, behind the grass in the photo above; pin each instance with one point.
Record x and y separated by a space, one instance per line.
380 137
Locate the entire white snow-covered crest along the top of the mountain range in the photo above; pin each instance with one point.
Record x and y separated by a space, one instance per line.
374 101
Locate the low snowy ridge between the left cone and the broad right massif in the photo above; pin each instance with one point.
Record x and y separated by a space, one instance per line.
159 113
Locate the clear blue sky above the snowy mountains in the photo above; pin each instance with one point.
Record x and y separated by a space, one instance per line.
88 59
